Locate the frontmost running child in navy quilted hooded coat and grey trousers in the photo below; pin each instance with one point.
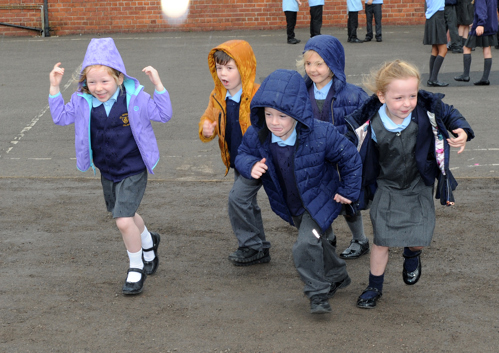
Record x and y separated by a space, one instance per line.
296 156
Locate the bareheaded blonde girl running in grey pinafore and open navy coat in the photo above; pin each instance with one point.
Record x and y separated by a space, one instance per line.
404 146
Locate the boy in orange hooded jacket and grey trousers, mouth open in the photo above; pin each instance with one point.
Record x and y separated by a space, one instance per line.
233 68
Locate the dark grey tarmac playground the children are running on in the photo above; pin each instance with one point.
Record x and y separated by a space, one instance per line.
62 261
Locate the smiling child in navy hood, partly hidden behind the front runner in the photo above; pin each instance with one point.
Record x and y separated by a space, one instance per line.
332 99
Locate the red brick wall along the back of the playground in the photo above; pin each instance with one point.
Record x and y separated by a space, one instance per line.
123 16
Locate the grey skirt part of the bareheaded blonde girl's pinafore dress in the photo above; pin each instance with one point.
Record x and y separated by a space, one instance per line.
403 217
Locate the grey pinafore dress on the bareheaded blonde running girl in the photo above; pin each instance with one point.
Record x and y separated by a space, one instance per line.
402 212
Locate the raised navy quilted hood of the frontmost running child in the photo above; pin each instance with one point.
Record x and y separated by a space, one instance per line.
285 91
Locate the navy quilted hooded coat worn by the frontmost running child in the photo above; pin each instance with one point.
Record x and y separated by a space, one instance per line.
318 150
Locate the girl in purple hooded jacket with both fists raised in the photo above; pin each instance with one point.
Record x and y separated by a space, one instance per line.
112 116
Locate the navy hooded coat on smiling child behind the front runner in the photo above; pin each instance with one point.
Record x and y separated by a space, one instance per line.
345 98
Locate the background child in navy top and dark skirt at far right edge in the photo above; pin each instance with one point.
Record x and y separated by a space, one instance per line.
483 34
